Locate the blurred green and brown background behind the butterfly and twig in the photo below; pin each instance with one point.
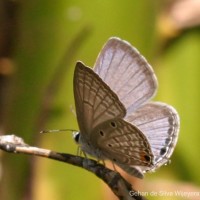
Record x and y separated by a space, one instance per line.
40 42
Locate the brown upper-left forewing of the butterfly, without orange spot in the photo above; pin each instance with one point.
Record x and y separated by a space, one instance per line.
95 101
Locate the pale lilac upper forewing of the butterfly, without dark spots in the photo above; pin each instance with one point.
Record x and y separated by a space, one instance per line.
126 72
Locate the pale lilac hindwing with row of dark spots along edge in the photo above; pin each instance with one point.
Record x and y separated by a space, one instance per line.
160 124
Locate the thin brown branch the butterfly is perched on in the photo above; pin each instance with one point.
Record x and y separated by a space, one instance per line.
121 188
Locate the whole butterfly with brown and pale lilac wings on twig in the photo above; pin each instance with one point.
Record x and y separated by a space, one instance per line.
116 118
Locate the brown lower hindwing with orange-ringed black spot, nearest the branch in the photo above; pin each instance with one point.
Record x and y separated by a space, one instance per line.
124 144
